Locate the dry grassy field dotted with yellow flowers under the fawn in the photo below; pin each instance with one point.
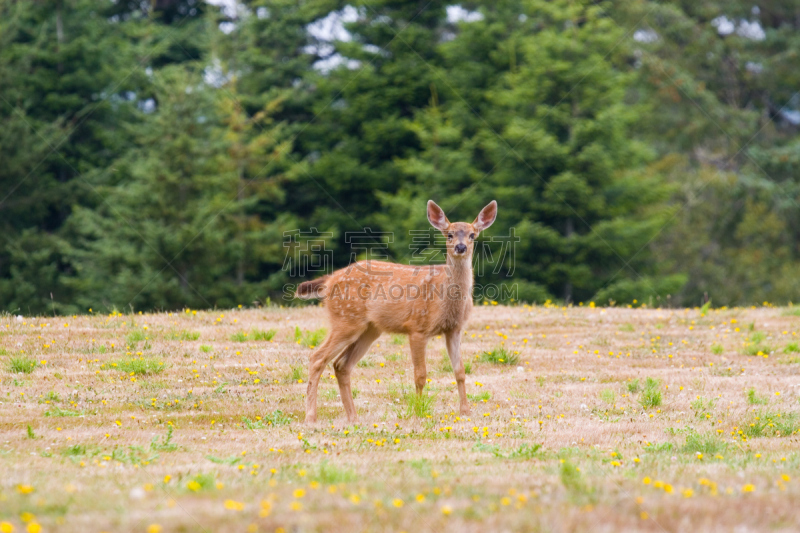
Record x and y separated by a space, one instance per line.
583 419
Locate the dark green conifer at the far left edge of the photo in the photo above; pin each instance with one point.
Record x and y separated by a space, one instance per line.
62 96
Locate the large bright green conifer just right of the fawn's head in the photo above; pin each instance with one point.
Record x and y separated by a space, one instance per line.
548 134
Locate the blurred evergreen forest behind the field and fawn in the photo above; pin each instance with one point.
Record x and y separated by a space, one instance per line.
161 154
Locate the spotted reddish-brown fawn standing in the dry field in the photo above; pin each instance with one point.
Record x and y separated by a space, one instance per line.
371 297
